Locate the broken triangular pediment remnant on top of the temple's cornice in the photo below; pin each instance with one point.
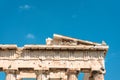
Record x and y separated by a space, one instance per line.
64 40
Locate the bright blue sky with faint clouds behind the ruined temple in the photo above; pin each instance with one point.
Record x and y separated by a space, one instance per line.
32 21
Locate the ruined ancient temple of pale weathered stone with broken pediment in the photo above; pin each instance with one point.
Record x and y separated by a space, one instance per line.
62 58
